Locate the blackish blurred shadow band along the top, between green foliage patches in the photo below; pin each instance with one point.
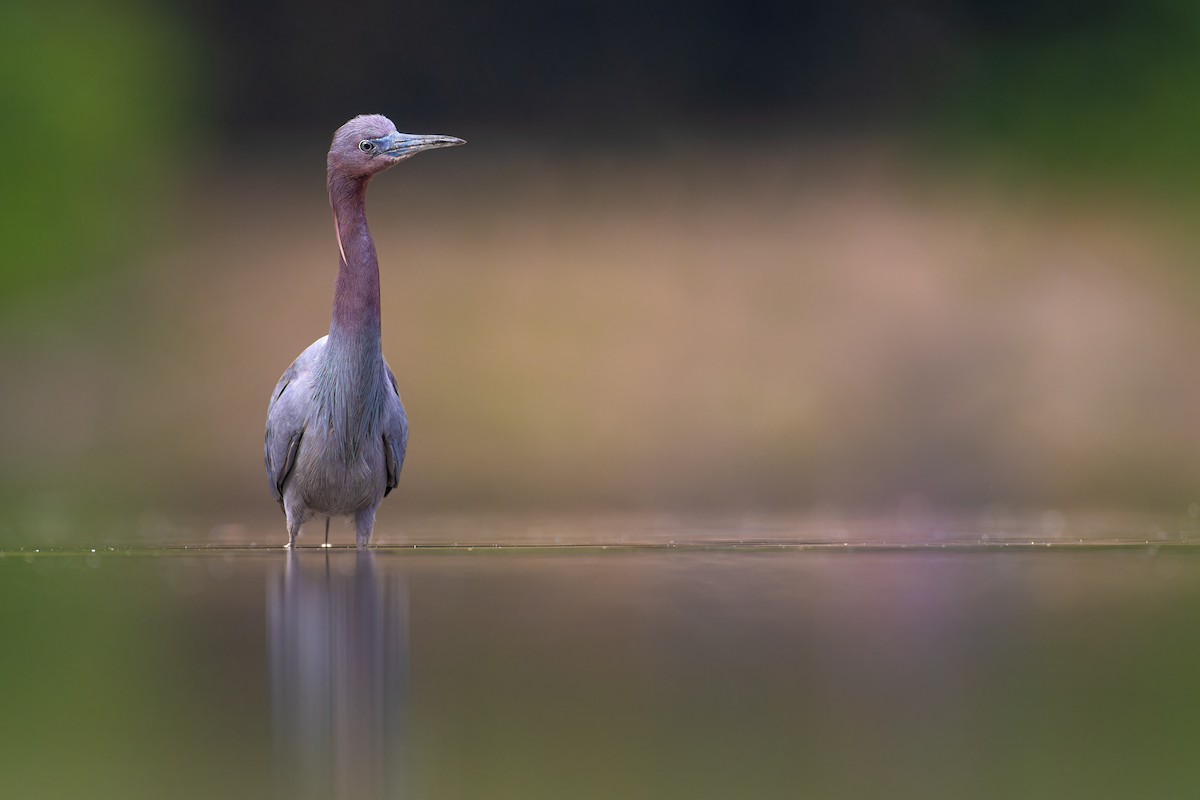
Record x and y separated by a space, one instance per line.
591 69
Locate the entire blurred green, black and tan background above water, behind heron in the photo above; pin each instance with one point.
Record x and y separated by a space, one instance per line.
737 257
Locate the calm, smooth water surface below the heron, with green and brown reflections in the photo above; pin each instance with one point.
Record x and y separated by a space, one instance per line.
580 673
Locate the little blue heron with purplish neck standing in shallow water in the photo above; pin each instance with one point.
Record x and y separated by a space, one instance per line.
337 431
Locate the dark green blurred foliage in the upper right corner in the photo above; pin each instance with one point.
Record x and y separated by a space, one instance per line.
1111 91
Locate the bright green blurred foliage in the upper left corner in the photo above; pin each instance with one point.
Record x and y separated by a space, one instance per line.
94 98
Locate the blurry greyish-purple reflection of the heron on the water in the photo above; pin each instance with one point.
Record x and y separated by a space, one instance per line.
339 661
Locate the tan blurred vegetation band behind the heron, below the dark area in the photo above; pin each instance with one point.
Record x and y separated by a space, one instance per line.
781 328
